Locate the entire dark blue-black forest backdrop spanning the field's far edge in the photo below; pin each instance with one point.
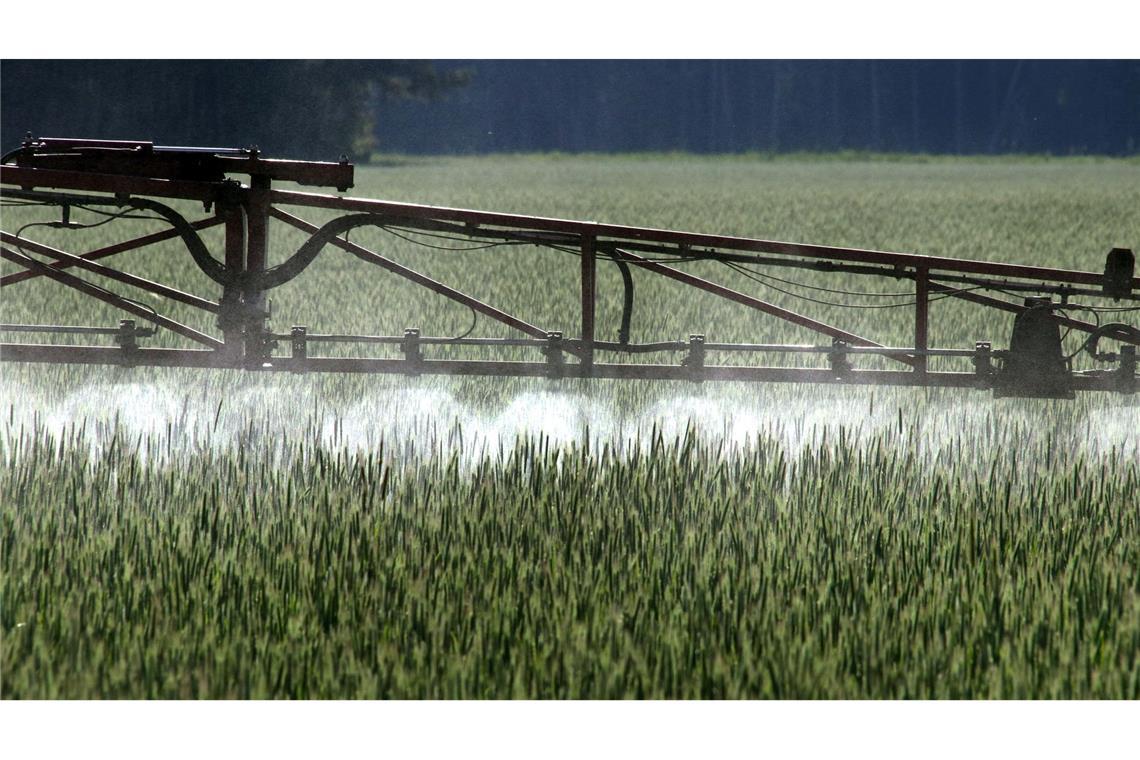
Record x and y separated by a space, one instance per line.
323 109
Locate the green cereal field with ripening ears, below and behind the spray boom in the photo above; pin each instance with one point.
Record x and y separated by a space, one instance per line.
218 535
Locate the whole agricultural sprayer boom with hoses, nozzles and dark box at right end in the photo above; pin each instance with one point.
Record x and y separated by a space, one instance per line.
239 192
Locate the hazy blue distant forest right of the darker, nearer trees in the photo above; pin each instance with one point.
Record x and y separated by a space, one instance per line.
929 107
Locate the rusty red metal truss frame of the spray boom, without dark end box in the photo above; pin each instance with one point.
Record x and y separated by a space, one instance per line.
137 173
